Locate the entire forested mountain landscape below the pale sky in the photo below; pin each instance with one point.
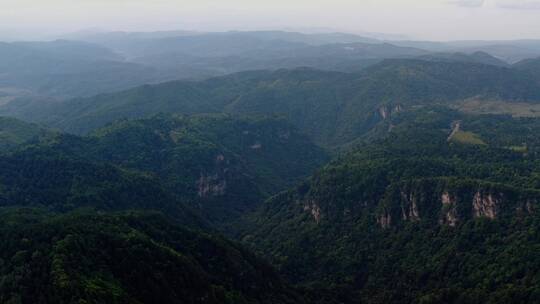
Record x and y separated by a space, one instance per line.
346 170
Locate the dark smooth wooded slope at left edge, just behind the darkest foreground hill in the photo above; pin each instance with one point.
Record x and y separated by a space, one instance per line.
52 179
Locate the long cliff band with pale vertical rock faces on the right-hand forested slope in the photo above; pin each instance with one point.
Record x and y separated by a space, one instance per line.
435 201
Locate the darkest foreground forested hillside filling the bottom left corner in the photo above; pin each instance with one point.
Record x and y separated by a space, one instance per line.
126 258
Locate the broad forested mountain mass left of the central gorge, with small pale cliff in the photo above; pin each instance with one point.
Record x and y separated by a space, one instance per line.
216 164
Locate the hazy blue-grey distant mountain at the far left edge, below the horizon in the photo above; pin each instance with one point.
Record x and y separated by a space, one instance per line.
65 68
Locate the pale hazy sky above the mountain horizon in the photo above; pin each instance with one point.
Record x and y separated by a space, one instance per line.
421 19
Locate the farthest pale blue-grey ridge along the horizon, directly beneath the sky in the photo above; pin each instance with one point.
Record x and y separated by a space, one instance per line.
217 44
